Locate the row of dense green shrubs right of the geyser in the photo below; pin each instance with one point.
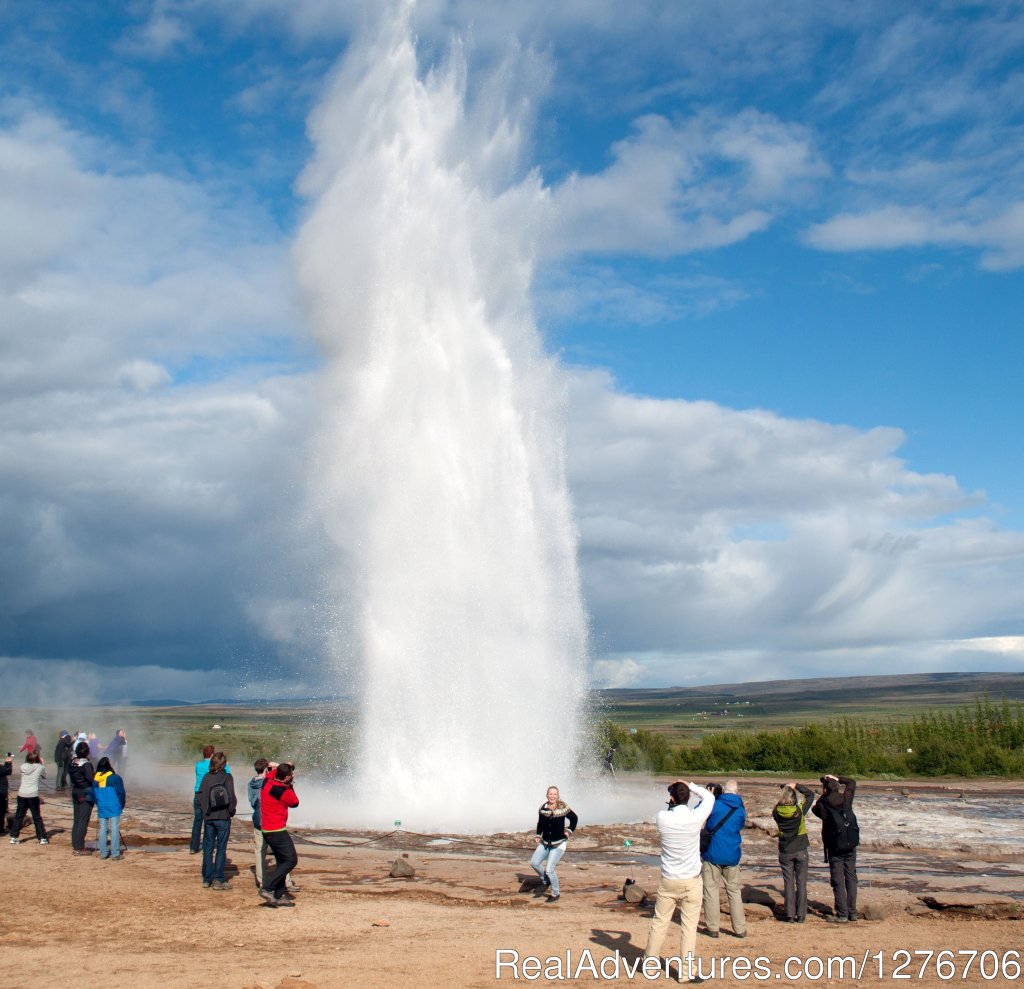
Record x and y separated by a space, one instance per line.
987 740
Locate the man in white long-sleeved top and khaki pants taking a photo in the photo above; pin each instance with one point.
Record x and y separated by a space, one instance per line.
681 886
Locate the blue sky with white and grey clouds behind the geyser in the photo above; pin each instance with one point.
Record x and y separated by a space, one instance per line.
784 267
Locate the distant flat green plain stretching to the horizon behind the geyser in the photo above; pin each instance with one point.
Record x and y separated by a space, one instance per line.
319 736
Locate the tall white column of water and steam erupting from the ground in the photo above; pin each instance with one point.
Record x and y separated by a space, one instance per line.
441 470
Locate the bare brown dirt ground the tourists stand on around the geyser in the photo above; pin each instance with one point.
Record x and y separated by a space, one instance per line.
146 923
